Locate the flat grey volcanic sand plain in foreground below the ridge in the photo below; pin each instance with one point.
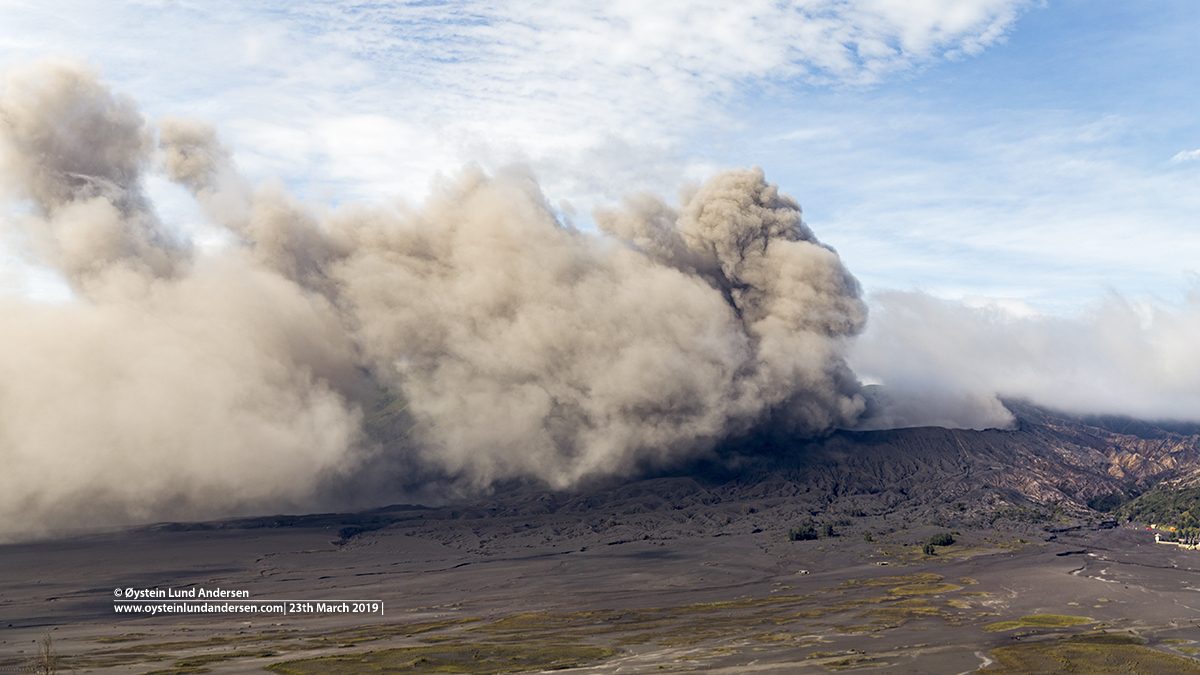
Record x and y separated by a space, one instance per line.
746 601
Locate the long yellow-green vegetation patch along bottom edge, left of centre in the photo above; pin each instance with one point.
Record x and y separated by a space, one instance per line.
448 659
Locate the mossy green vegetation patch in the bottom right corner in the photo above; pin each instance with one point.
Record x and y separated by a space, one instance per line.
1100 655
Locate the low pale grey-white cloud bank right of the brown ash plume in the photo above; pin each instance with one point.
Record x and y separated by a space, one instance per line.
945 363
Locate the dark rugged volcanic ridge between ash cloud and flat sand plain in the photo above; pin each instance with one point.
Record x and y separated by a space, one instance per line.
1051 468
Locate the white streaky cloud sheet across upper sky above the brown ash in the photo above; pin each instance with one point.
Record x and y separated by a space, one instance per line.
505 81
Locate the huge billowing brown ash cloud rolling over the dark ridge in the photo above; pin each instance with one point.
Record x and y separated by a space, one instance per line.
465 342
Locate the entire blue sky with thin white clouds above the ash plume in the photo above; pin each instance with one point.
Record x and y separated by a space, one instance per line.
1022 154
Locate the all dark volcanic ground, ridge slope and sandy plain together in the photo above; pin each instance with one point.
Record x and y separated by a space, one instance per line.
692 571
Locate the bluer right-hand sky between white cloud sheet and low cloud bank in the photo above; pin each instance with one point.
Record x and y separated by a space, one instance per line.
1040 170
